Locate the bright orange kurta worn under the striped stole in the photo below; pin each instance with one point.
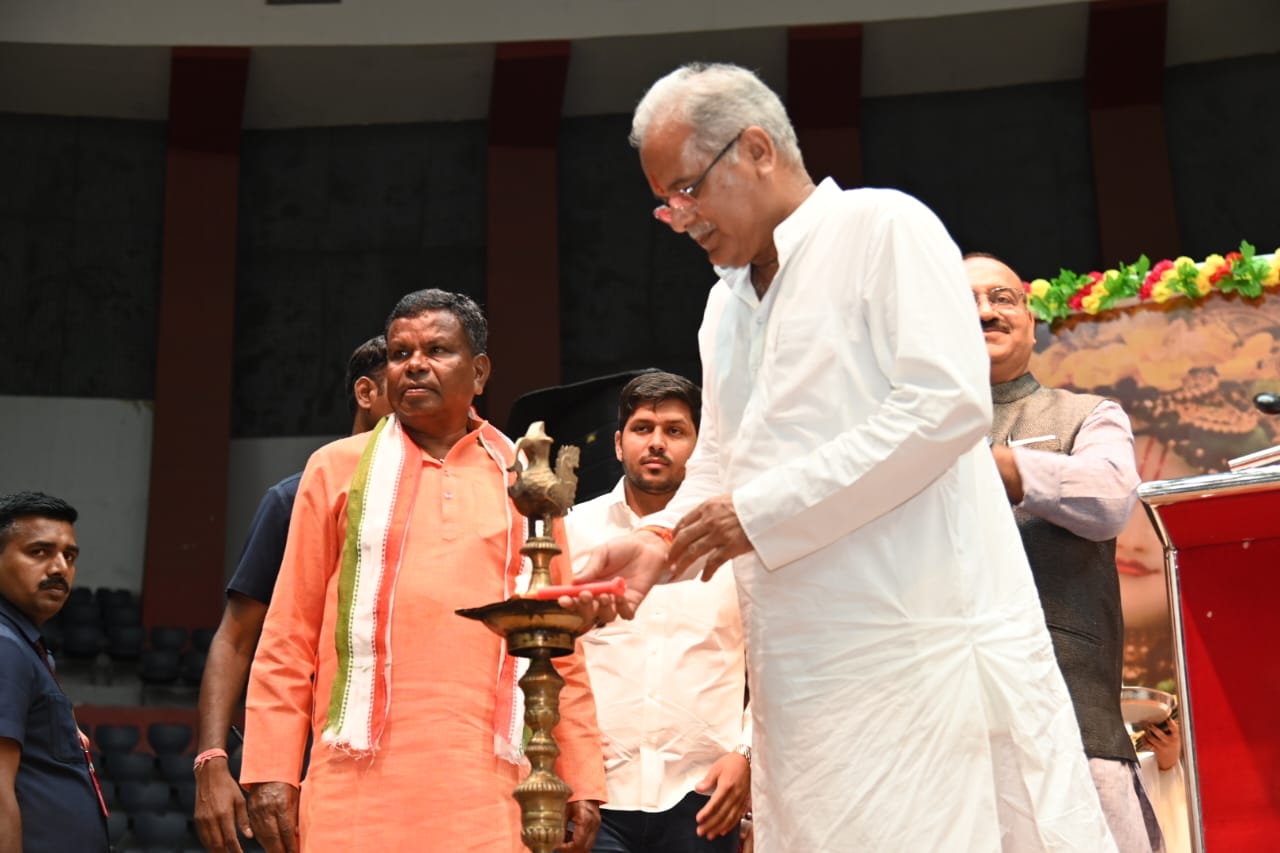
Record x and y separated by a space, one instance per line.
435 782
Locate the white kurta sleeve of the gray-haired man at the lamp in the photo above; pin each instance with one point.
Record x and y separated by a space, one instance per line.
925 340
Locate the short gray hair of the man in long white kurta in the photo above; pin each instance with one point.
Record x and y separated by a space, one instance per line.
716 101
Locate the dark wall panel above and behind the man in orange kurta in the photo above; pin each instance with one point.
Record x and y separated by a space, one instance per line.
336 226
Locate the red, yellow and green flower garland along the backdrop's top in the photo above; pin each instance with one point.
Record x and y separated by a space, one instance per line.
1241 272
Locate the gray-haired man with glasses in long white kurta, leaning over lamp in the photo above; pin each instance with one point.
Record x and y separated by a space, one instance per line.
906 695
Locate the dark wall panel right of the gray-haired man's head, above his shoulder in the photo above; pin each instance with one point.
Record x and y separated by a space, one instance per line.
1007 170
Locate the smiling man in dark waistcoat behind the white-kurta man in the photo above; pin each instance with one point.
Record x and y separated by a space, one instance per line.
1068 466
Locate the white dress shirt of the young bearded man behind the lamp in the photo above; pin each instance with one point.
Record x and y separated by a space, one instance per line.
669 685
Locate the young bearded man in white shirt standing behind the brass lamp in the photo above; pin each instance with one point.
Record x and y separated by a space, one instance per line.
669 686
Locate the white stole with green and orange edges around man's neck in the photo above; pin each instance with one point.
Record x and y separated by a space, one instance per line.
380 508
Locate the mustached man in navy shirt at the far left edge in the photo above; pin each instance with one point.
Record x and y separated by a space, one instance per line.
49 800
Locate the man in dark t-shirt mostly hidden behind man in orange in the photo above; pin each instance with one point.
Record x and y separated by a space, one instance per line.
220 801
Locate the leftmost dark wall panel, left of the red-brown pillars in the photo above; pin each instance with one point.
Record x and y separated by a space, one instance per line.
80 256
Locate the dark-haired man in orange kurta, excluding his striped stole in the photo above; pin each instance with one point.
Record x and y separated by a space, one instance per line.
433 781
